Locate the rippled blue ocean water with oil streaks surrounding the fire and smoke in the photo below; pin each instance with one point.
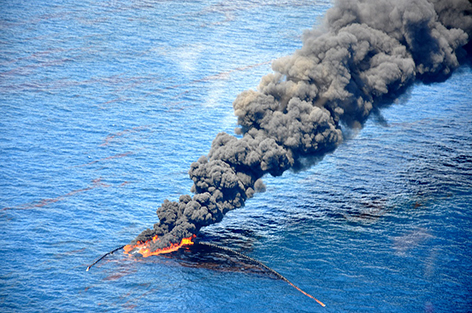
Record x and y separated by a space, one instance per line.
104 105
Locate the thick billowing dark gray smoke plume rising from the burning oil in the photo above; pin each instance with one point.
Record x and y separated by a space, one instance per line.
366 53
